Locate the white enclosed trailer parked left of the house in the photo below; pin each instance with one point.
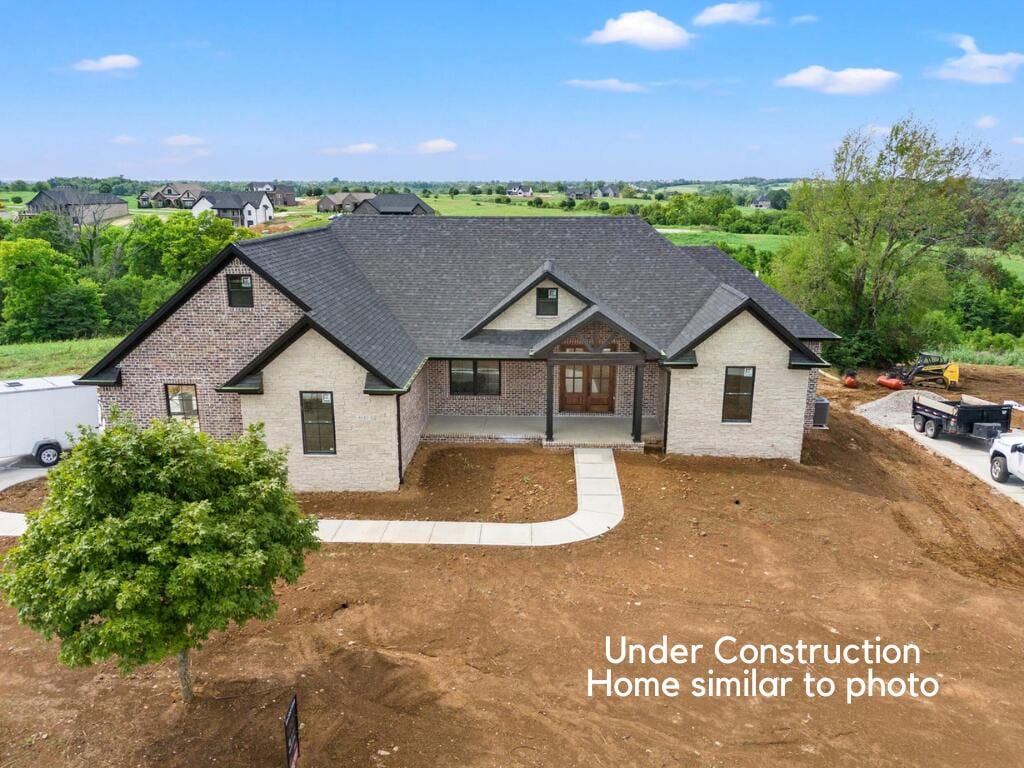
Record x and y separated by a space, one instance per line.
37 415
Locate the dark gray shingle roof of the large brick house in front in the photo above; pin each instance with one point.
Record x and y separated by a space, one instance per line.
400 289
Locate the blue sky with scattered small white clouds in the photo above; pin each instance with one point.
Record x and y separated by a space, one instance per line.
478 91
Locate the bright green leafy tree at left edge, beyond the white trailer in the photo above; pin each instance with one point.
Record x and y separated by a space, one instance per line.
45 300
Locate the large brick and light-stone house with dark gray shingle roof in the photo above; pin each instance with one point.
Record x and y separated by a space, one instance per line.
356 343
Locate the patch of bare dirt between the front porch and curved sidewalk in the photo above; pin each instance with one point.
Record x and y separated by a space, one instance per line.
482 484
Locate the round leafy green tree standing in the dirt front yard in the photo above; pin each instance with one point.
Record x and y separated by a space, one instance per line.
154 538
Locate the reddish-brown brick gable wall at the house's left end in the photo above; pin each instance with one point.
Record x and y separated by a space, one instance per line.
204 343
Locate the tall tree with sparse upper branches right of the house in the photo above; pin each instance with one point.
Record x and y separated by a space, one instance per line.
881 230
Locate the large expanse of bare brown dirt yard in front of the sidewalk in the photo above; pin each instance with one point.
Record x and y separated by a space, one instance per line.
440 657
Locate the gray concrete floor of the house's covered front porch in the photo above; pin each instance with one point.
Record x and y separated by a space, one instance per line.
569 432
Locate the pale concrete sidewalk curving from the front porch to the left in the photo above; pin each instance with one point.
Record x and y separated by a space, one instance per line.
600 509
